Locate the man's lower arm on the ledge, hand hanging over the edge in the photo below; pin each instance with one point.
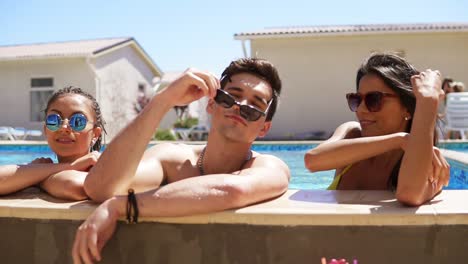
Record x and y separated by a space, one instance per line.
189 196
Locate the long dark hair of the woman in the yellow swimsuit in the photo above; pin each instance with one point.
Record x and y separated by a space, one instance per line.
396 73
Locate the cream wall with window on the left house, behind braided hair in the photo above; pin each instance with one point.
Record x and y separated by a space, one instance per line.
15 85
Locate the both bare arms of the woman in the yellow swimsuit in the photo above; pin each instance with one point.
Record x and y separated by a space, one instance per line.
423 171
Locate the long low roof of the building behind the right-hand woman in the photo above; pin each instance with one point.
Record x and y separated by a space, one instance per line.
301 31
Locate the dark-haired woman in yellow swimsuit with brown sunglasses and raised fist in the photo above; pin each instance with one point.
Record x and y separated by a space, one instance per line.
392 144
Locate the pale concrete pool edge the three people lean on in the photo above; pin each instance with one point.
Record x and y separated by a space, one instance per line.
294 208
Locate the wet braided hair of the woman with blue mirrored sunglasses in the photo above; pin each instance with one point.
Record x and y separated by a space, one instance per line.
94 104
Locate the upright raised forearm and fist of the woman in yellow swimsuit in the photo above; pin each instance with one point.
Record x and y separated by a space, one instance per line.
424 171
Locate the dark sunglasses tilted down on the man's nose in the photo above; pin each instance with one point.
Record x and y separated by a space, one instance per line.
248 112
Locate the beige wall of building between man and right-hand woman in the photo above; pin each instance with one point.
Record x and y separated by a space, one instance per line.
317 72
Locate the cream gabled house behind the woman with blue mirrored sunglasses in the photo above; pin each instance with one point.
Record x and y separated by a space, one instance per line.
113 70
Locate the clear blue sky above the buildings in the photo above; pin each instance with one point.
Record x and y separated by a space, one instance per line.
179 34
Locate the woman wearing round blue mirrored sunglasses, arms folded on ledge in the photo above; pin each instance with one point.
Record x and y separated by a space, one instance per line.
73 128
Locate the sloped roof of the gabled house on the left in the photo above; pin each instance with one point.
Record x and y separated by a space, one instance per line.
71 49
